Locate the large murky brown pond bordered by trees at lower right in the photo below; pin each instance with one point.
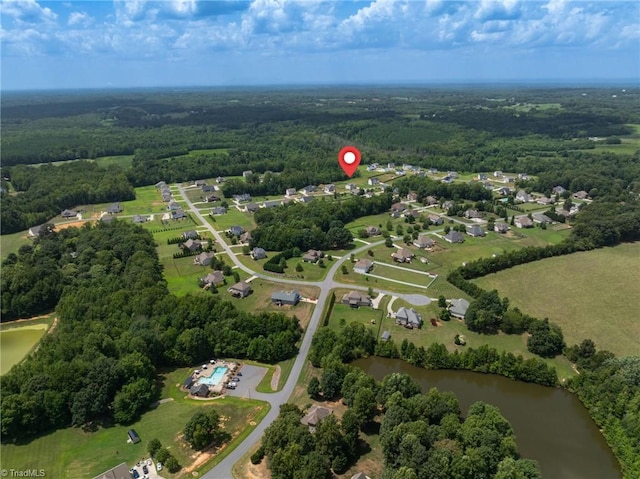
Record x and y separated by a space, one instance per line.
551 424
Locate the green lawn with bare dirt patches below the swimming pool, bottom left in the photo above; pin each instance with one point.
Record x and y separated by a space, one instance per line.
74 453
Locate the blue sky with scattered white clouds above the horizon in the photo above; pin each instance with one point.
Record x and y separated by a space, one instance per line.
120 43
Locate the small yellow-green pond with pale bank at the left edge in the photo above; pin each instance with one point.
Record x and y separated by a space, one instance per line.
18 338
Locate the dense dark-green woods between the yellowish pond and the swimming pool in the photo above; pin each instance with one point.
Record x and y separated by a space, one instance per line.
117 324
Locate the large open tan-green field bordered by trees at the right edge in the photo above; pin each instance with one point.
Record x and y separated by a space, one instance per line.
591 294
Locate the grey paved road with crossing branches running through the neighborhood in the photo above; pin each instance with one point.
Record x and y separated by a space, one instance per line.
223 469
